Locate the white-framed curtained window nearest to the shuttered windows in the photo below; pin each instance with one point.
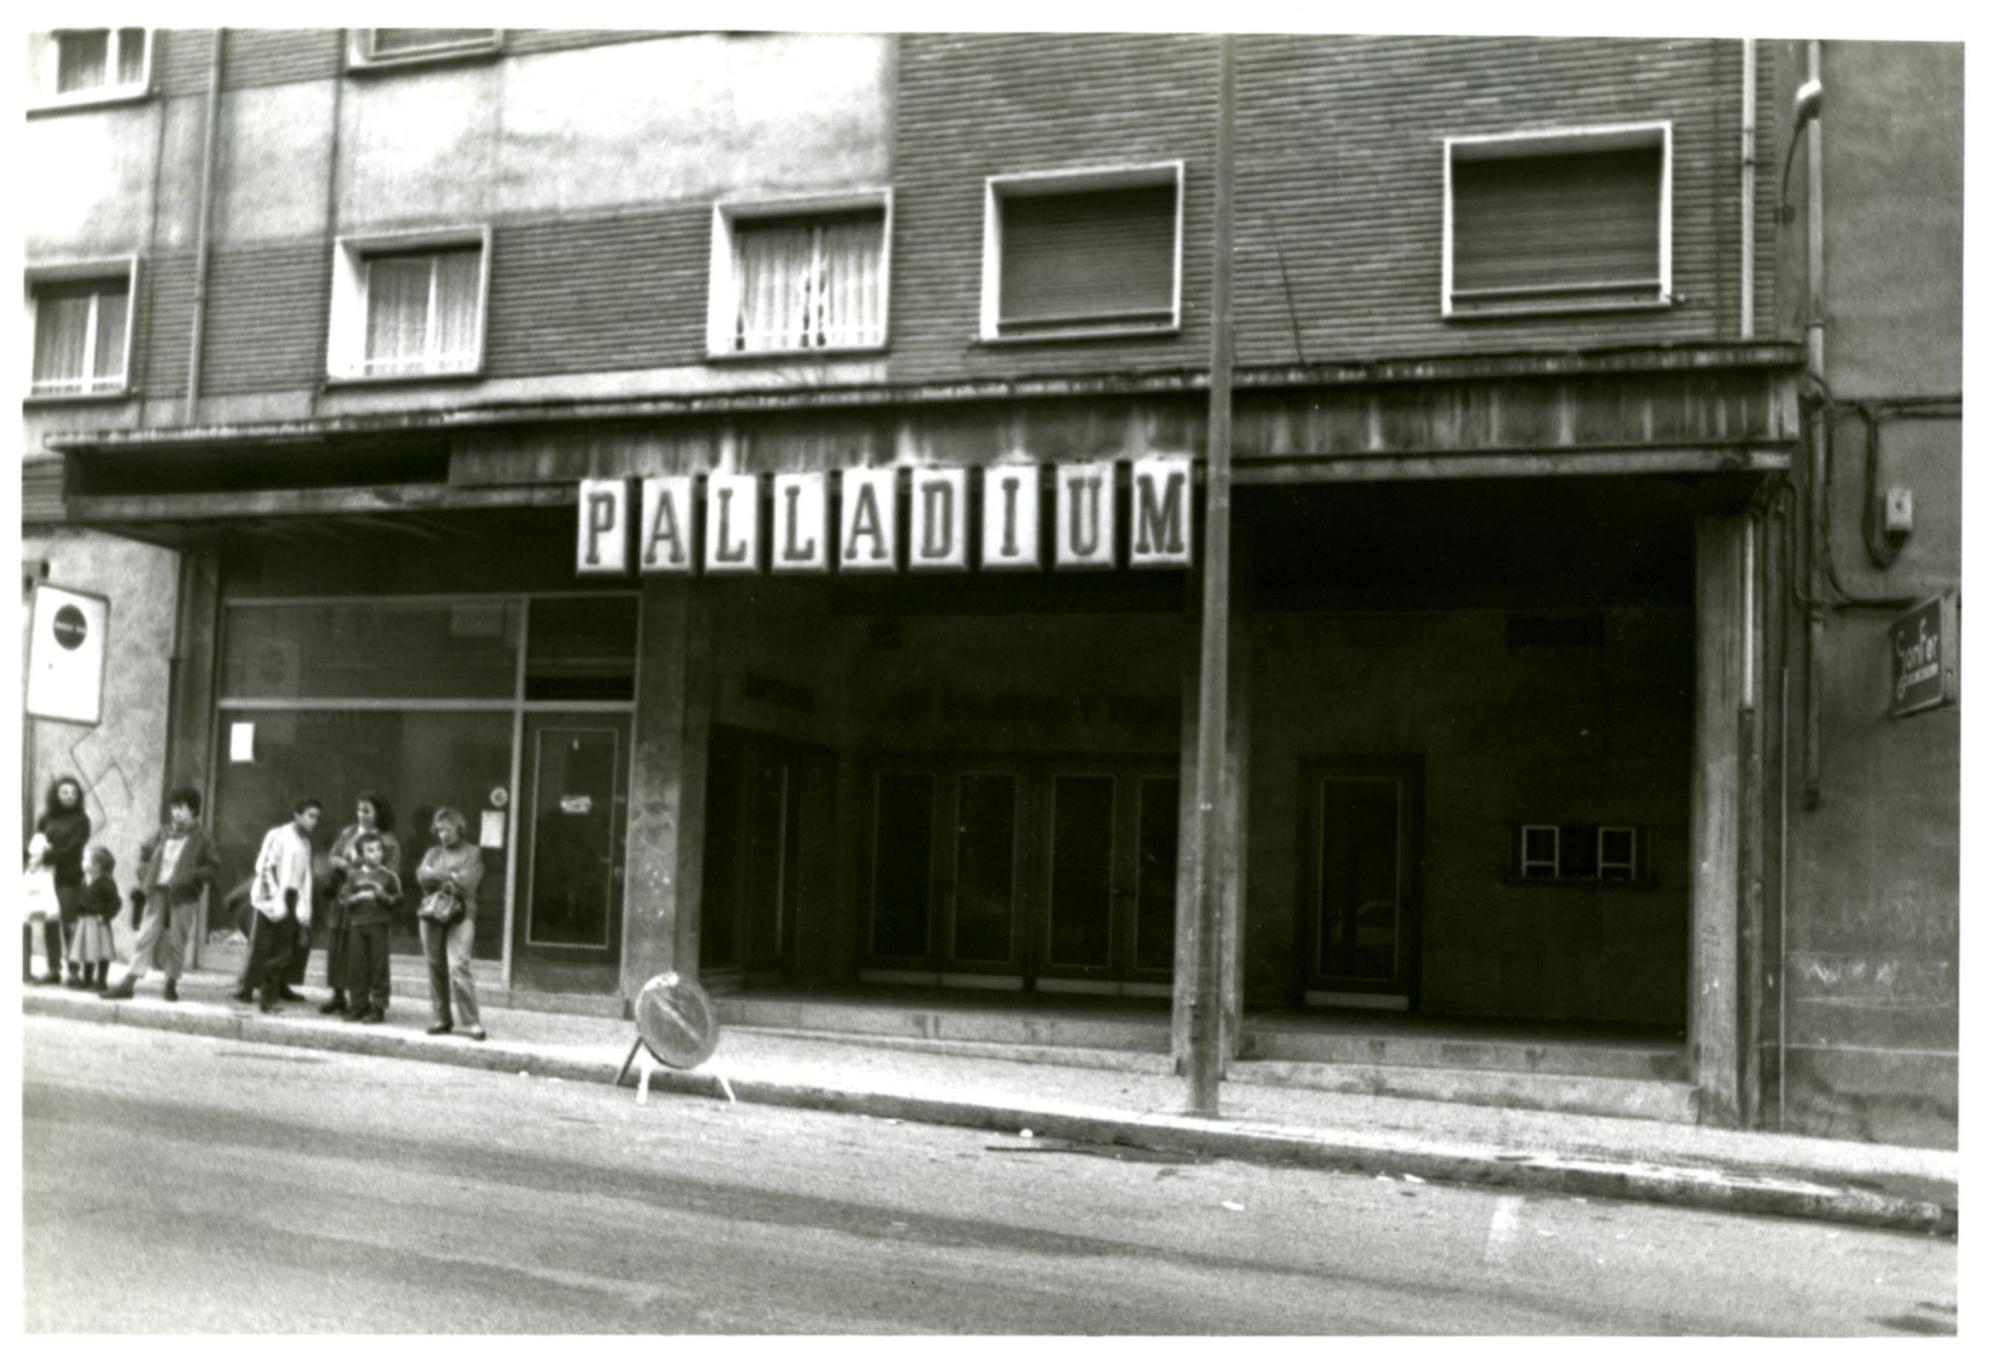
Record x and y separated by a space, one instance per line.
789 279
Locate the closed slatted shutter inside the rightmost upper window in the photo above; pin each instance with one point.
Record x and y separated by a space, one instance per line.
1569 221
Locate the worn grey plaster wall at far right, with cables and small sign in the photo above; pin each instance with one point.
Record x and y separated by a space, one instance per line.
1865 1039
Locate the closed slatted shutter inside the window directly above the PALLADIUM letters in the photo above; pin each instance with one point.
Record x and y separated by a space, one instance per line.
1087 255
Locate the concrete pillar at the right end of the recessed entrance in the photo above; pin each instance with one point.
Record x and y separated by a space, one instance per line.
1717 905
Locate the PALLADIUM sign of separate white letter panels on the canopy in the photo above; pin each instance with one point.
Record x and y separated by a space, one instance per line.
863 521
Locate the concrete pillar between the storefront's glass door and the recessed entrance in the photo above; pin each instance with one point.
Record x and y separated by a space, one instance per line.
669 783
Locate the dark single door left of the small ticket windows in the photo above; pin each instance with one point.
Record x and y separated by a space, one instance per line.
1361 895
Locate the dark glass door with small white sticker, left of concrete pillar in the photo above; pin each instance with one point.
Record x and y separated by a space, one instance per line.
577 769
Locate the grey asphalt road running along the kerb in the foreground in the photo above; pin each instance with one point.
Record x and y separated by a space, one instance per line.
191 1185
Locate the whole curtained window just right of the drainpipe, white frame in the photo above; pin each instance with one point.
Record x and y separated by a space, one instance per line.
409 305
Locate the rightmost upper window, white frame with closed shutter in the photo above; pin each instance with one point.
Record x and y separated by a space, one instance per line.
1559 221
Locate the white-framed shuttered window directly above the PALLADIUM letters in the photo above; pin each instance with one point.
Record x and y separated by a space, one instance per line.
1083 253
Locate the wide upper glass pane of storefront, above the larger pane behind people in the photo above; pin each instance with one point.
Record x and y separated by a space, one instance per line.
373 649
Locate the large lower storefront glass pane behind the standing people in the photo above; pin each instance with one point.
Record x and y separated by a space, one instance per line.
419 761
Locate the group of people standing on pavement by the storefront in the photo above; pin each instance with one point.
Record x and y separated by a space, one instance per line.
357 883
